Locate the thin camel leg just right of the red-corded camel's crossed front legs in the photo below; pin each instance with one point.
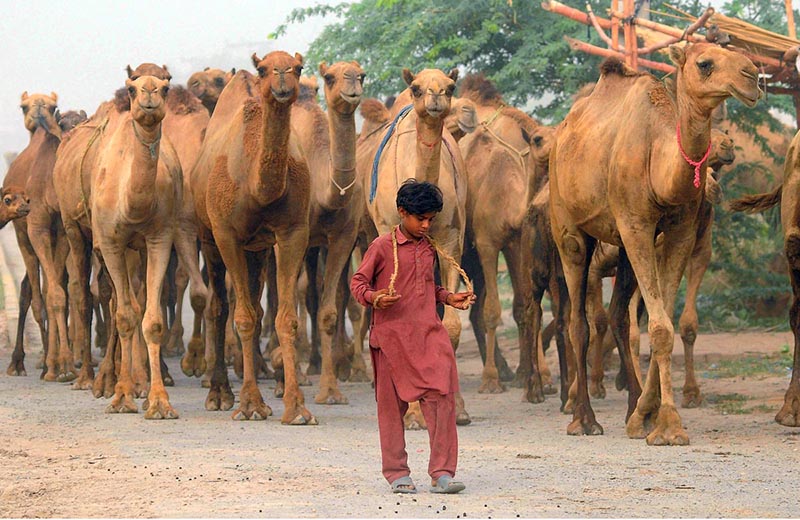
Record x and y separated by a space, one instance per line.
688 323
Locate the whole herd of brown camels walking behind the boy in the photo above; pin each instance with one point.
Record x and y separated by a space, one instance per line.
111 213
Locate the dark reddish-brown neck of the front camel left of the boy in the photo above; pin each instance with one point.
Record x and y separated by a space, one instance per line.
269 182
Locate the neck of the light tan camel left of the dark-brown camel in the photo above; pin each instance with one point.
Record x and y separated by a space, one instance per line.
140 189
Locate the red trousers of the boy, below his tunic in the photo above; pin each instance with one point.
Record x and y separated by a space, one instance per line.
439 411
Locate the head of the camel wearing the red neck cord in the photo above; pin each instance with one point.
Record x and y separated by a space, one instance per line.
709 74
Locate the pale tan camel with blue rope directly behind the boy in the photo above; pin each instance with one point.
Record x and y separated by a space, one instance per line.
419 134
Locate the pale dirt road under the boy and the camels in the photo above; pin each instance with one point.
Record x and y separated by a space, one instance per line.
62 456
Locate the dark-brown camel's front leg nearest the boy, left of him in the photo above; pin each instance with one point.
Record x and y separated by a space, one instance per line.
291 247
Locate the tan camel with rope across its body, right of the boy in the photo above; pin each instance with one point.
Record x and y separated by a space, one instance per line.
498 165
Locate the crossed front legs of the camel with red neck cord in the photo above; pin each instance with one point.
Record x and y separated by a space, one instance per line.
656 404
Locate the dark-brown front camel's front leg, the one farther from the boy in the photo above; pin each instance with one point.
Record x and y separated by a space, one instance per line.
251 403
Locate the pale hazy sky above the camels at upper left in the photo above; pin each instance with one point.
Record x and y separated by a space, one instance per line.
79 49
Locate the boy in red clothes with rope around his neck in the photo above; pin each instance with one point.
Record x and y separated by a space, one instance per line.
412 358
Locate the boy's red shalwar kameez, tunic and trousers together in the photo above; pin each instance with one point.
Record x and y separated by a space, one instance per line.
412 357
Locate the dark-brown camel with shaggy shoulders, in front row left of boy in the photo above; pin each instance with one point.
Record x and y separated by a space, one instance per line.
251 190
